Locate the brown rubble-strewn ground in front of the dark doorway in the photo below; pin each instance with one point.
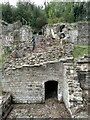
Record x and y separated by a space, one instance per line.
50 109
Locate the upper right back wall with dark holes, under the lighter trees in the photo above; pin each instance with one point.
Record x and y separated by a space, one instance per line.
78 34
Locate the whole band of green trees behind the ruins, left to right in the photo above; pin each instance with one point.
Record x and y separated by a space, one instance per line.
53 12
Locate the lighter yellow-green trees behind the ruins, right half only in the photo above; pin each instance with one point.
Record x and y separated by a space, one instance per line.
68 11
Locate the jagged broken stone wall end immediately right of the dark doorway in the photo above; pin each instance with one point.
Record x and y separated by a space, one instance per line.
72 93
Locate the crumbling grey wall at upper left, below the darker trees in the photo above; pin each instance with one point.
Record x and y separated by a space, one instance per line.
14 33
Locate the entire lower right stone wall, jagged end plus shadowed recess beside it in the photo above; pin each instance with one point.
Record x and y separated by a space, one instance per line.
76 86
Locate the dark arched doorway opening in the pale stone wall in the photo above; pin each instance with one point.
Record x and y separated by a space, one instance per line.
51 89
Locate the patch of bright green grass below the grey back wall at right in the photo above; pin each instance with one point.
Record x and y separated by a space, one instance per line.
79 51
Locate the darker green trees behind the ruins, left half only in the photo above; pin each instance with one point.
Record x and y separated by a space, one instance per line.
26 12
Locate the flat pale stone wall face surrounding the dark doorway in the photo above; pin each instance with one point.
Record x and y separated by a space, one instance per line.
26 84
